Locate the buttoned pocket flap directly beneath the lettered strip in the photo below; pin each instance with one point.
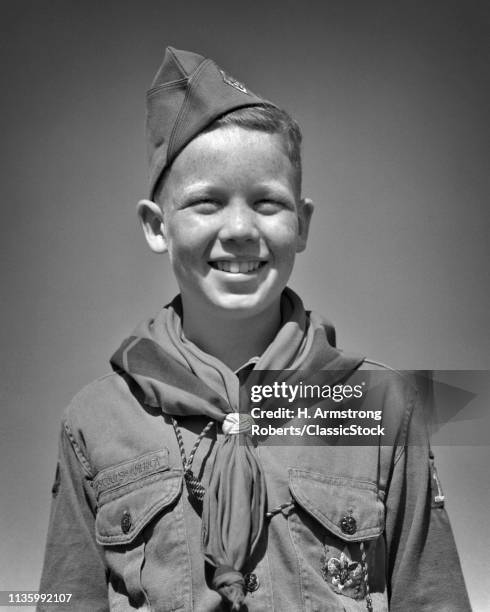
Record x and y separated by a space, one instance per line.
124 511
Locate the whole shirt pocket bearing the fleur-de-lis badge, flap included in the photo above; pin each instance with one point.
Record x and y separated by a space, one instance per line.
335 527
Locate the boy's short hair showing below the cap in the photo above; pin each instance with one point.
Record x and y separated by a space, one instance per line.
267 118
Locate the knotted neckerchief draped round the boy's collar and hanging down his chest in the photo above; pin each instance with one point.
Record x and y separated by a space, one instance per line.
181 380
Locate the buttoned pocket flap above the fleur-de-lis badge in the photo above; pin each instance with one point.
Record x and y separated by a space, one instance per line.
348 508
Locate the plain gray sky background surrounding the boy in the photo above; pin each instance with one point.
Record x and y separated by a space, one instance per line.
393 101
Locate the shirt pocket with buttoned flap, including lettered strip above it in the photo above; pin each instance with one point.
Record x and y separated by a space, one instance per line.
139 524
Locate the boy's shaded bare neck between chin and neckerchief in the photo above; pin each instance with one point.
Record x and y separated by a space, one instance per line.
232 341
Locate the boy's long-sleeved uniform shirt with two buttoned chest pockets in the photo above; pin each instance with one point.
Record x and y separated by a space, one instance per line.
124 535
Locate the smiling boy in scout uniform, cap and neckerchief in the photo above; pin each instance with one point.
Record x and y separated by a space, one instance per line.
163 499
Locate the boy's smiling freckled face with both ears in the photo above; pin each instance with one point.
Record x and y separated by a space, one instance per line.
232 222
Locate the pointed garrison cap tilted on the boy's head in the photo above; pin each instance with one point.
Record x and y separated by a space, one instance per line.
187 94
